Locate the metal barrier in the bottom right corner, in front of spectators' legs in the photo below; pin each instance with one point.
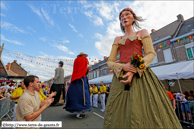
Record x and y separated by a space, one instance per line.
187 110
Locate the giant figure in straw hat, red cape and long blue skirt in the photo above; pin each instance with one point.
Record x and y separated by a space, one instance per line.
78 95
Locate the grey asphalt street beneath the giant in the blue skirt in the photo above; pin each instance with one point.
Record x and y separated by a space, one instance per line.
93 120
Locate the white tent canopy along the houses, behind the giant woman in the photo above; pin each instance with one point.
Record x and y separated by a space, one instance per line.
184 70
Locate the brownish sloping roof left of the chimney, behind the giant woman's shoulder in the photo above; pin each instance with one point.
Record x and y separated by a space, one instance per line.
165 31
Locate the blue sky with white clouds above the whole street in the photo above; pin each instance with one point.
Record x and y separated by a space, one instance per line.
63 29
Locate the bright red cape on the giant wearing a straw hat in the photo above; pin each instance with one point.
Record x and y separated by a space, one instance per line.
79 68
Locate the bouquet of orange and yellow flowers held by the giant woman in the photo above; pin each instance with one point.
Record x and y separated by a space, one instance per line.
137 61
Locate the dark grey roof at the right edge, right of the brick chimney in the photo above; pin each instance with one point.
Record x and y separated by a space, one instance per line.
186 27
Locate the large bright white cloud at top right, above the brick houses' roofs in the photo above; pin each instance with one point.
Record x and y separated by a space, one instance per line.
161 13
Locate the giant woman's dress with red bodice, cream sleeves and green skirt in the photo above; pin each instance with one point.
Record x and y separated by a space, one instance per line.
144 103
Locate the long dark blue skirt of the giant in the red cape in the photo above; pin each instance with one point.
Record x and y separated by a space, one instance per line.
77 99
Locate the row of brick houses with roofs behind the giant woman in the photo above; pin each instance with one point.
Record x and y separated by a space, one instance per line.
173 43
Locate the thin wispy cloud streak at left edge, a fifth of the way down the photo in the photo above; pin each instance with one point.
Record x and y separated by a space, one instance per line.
11 27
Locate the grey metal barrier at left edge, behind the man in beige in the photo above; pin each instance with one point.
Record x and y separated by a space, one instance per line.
4 107
